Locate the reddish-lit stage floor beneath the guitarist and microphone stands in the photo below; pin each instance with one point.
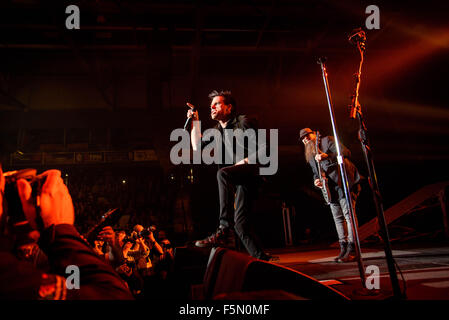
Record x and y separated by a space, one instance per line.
425 269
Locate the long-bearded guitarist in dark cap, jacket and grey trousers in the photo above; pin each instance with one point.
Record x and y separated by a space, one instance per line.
321 155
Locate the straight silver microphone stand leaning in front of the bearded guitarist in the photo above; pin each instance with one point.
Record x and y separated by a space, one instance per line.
344 176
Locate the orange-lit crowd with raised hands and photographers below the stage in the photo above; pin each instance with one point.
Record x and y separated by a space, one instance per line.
44 256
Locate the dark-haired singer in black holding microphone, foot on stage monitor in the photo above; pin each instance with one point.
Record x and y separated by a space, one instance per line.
237 182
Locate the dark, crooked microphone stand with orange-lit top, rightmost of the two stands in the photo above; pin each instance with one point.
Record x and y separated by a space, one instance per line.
355 112
